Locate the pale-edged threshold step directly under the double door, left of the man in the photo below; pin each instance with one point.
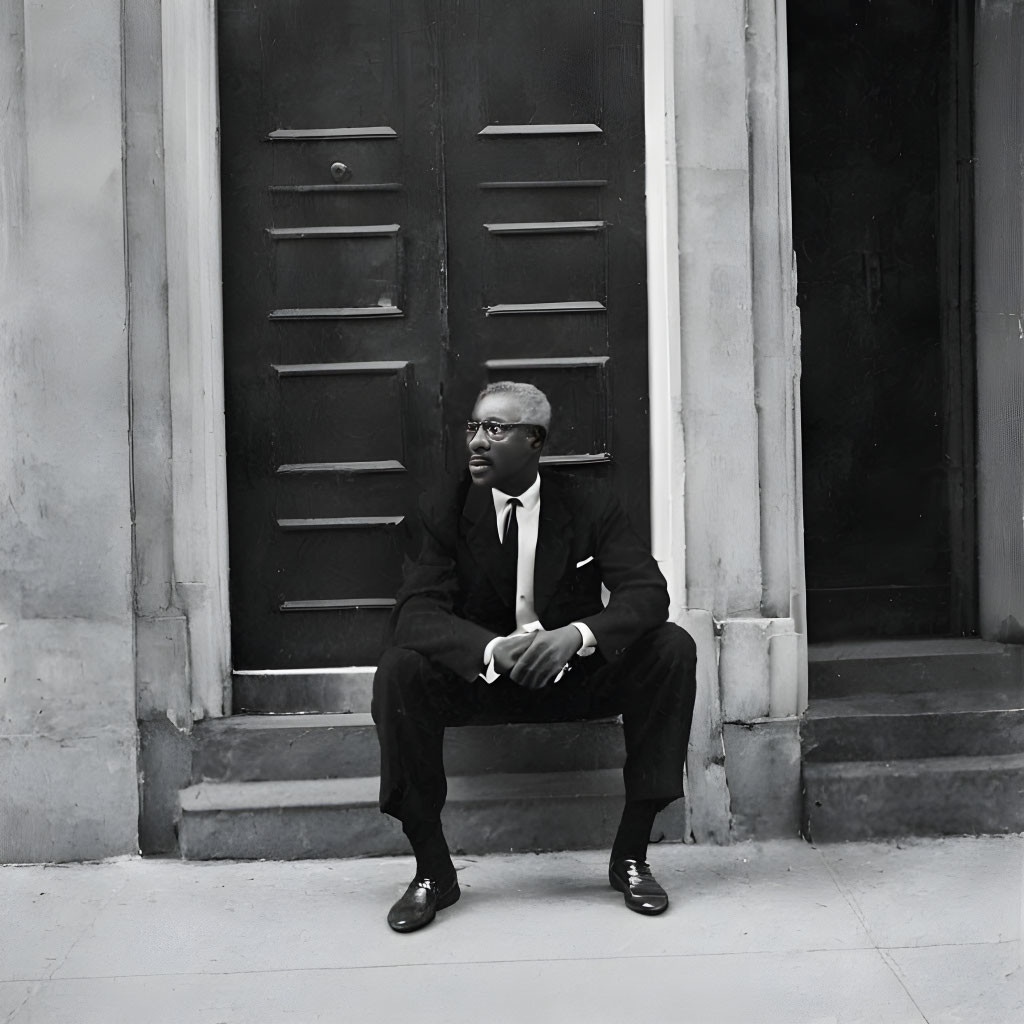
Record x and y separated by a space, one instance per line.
308 692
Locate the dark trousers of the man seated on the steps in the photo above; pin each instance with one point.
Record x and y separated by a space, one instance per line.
653 686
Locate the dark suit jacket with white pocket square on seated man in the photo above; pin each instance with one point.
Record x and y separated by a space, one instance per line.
458 594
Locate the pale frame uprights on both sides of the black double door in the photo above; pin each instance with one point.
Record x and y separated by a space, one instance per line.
196 329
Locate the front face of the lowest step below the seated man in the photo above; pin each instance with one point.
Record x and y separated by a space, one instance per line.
579 823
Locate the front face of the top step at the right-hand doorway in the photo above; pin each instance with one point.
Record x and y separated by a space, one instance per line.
916 674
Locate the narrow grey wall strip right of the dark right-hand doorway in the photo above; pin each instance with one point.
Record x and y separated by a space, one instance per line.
1000 276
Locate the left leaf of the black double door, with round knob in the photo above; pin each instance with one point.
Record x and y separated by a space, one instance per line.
333 231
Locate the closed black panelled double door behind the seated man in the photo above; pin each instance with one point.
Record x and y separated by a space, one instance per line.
417 197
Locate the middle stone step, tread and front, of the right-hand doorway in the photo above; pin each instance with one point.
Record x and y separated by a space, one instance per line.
879 728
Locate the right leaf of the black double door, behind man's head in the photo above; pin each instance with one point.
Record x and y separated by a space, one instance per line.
544 143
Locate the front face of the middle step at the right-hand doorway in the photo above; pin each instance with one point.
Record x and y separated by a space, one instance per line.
881 738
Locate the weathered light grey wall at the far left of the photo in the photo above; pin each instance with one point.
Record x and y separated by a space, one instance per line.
68 732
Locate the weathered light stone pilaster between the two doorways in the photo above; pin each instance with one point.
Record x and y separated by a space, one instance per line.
740 409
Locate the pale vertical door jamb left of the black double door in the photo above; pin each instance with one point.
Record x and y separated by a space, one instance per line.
196 340
